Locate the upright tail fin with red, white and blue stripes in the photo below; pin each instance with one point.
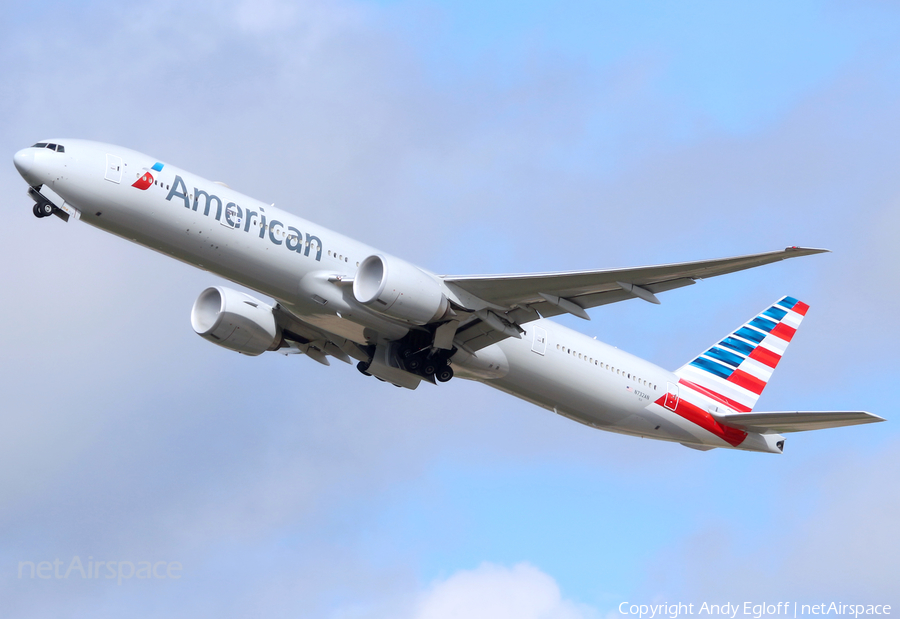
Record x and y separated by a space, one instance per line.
735 371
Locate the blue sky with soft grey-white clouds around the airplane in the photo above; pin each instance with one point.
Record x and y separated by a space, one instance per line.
466 137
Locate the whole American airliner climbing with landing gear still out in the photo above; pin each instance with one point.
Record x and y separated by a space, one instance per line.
335 297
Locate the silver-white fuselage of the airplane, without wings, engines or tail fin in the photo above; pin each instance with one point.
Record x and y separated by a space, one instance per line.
290 259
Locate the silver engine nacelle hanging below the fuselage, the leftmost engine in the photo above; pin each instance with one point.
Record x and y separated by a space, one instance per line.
236 321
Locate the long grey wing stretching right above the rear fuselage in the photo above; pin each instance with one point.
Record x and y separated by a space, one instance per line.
503 302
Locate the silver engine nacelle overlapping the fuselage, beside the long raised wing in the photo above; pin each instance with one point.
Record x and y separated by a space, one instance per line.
396 288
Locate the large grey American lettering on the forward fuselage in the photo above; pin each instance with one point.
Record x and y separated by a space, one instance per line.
232 215
